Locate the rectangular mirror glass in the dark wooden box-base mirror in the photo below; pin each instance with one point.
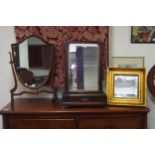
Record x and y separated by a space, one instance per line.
83 66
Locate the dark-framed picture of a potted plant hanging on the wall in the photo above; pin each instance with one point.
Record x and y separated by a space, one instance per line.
143 34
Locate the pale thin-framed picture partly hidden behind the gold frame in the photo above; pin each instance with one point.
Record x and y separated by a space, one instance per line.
128 62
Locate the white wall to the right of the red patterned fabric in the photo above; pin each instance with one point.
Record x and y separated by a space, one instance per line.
120 45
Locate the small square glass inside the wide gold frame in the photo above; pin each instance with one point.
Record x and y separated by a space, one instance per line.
126 86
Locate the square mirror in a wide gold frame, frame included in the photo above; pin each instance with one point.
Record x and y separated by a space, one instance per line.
126 87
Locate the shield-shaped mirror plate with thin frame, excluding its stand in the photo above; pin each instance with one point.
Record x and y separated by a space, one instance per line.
33 61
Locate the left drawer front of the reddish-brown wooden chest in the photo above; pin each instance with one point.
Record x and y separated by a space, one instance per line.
42 123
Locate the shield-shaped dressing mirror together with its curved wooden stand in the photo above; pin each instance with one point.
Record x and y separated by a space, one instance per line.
32 62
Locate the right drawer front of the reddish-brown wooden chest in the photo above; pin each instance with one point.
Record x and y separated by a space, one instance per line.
115 122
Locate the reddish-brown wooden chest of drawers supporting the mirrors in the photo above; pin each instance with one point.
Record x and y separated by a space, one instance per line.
43 114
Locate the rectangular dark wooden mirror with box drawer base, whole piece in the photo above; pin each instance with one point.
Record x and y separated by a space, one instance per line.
83 74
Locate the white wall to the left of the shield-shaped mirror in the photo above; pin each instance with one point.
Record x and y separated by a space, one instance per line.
7 37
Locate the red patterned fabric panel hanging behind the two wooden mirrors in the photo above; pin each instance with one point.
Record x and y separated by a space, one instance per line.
59 35
